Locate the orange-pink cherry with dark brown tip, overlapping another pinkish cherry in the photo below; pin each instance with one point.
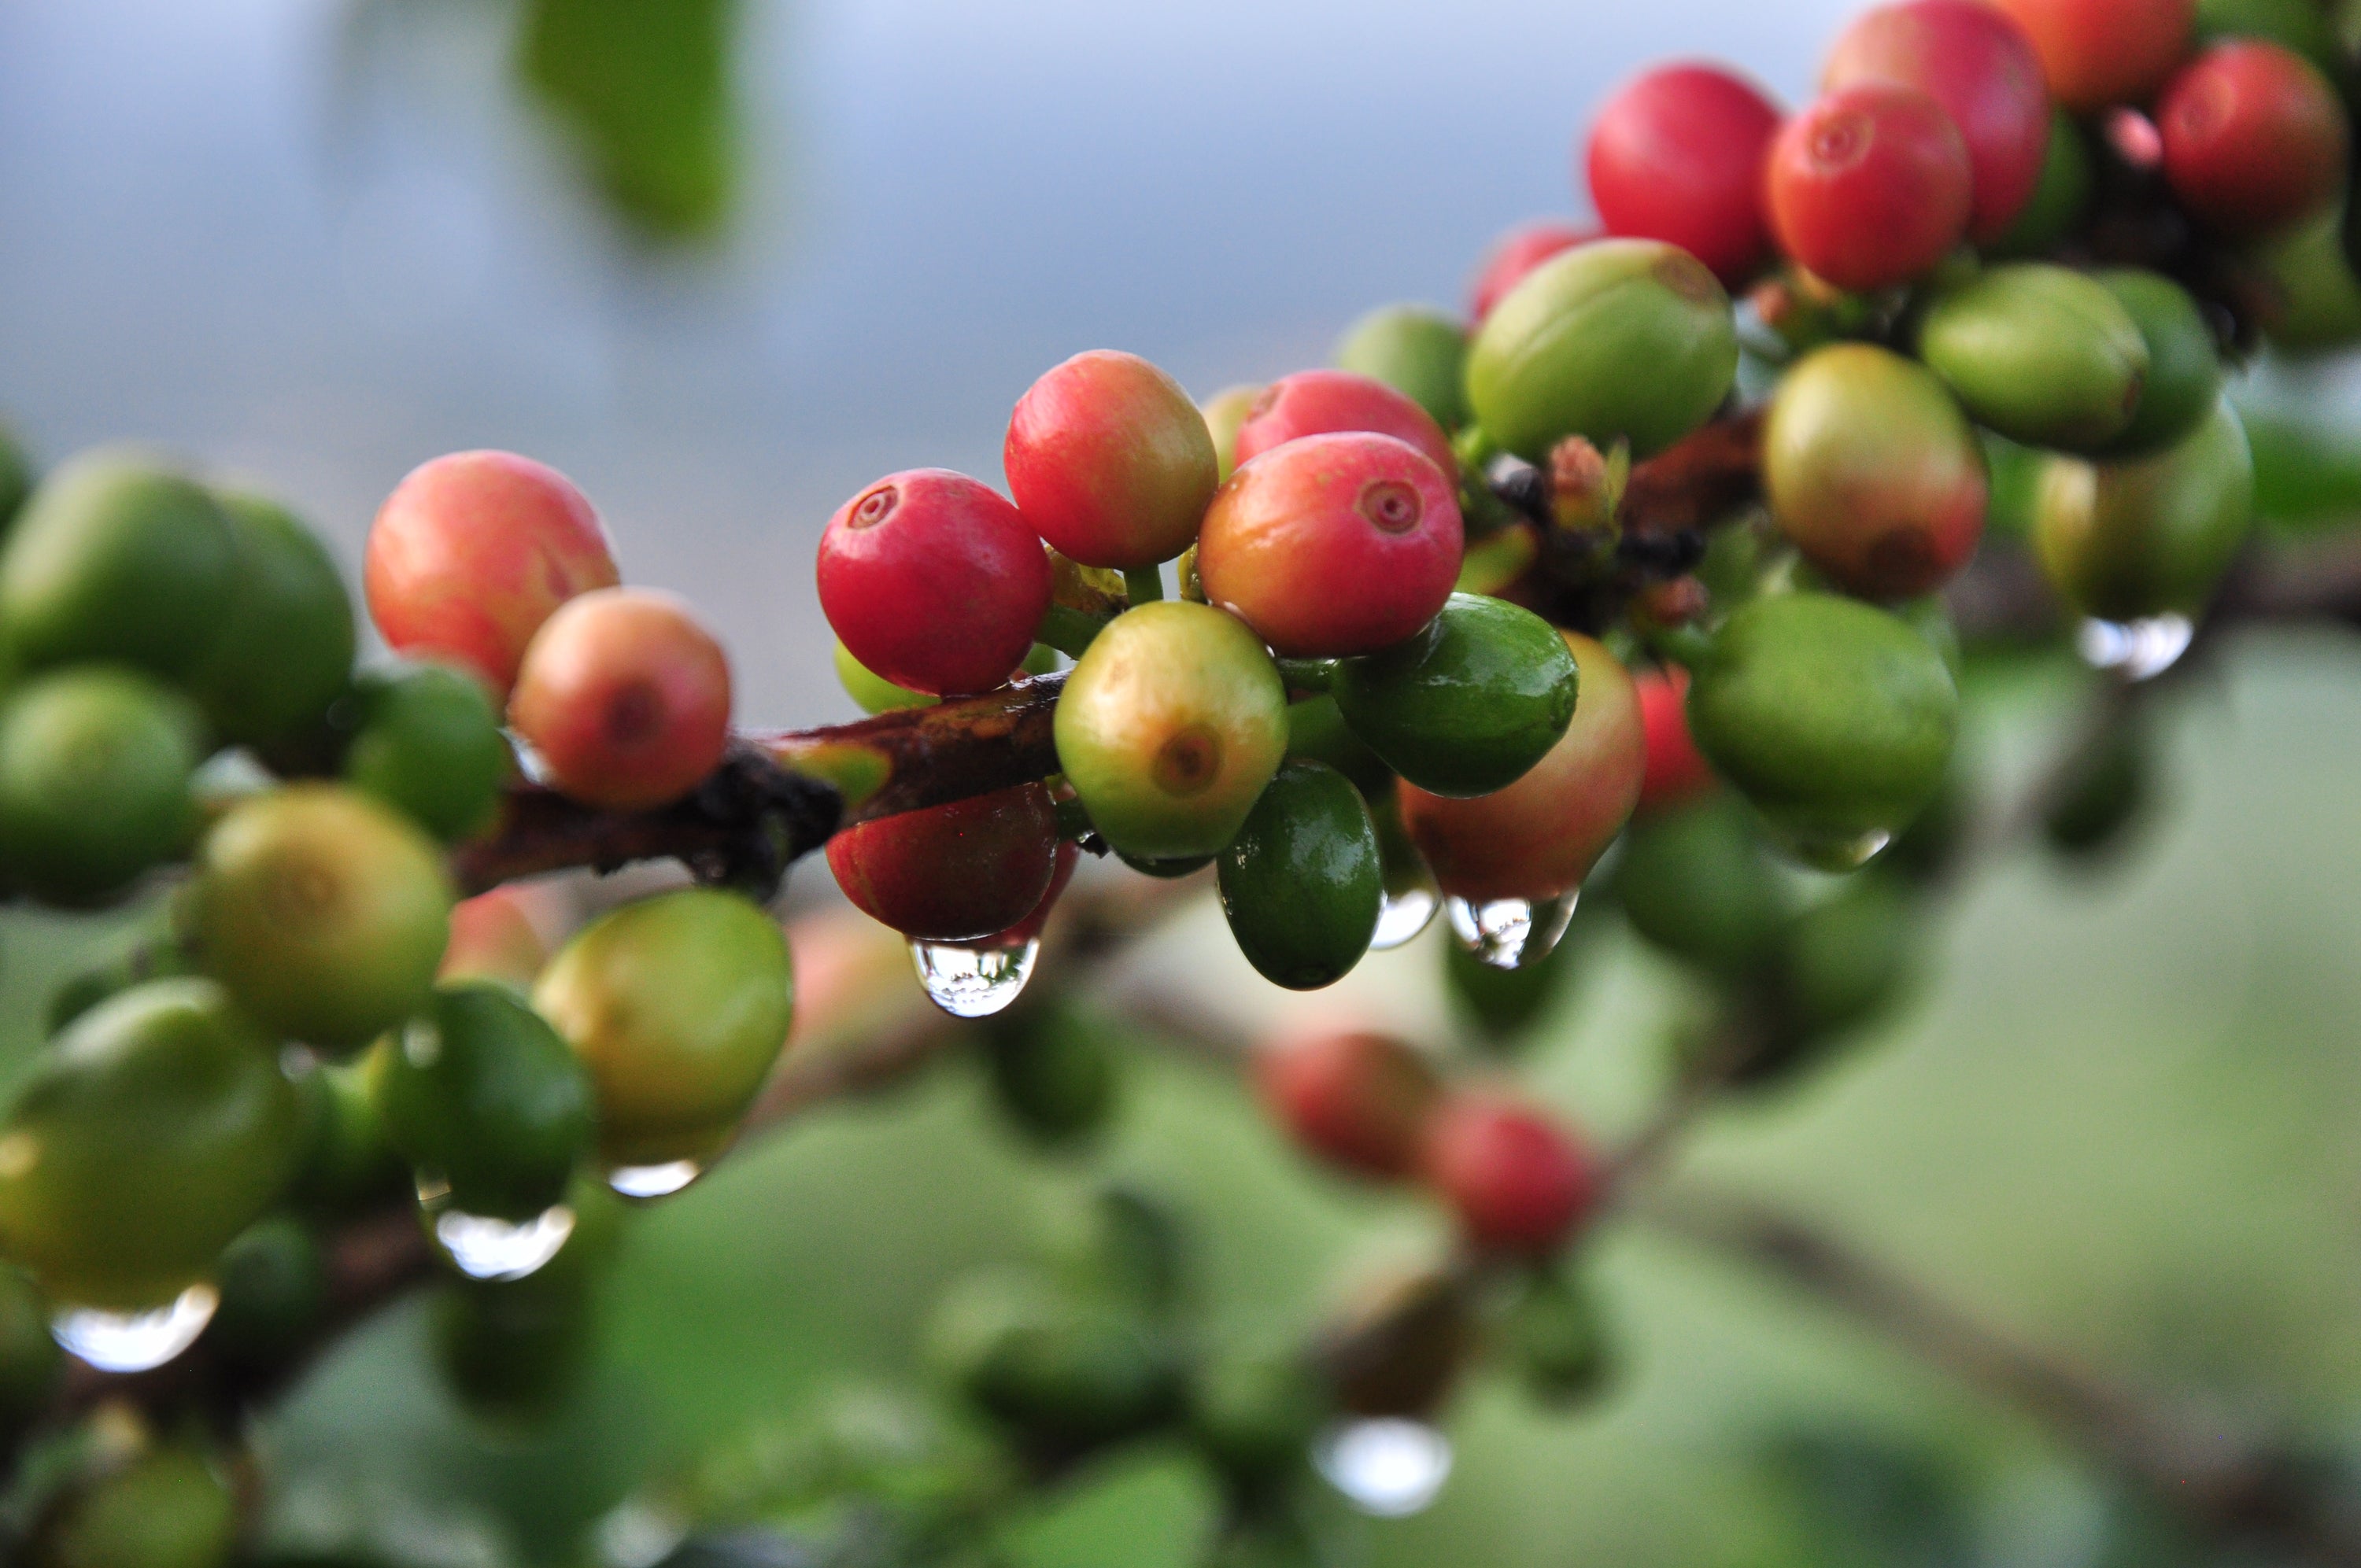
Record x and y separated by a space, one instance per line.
624 698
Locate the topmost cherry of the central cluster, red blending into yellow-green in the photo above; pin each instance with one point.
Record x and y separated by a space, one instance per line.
1111 462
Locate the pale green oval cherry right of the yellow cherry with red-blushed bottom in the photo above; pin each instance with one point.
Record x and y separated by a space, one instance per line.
2039 353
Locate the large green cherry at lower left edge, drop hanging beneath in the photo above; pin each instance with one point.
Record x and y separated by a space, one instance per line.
150 1135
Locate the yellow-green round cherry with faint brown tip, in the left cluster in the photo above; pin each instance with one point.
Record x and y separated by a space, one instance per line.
322 913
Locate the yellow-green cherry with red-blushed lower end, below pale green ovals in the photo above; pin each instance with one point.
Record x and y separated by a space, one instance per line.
1873 471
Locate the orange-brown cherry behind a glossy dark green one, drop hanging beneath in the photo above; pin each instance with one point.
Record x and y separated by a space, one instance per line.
1541 835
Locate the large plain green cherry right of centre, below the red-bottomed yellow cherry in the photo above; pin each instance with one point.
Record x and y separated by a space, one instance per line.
1831 717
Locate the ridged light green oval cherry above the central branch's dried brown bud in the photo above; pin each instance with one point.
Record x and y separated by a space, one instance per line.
1616 341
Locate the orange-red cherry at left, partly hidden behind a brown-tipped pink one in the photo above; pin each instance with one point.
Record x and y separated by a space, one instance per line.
471 556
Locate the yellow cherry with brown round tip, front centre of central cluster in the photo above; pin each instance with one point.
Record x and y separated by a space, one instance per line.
1170 729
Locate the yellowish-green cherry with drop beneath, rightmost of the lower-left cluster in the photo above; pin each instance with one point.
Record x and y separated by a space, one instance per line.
679 1005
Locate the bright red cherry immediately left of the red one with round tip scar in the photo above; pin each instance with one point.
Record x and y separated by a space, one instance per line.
1677 155
